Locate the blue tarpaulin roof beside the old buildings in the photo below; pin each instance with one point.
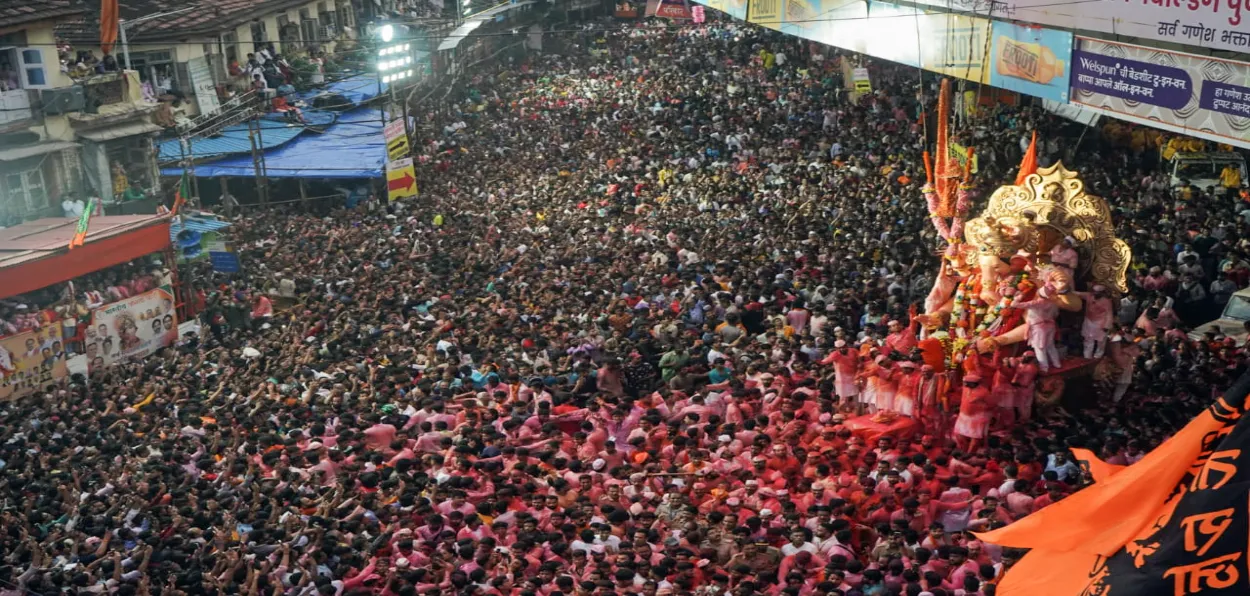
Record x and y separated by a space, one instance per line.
352 148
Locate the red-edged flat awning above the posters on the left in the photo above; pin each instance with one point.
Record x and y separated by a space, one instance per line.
36 254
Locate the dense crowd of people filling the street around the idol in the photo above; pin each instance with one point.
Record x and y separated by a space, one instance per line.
593 357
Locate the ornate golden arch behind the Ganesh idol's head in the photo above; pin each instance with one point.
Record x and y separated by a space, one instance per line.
1054 202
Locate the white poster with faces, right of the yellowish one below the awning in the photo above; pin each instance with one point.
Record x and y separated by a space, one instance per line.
133 328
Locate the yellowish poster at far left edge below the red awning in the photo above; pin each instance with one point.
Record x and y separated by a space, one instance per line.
32 362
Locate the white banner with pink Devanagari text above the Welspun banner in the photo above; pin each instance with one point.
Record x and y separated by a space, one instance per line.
1214 24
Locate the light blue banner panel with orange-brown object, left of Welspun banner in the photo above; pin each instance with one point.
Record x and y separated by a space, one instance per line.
1032 61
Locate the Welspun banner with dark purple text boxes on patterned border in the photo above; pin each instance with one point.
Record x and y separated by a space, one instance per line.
1189 94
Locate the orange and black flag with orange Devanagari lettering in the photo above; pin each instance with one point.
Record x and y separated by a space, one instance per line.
1177 523
